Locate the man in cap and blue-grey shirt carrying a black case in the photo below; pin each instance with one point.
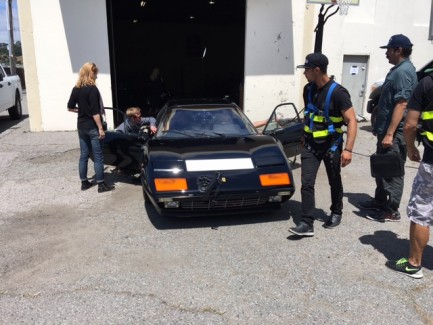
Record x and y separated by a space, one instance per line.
399 84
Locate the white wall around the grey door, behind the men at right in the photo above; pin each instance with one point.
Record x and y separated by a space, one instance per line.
369 26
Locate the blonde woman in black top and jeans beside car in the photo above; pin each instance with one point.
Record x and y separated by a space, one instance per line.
86 100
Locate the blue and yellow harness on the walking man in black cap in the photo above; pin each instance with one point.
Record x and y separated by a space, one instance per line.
319 124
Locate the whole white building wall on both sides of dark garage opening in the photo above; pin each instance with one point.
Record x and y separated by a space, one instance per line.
58 36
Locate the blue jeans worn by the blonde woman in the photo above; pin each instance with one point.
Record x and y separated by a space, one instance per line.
89 140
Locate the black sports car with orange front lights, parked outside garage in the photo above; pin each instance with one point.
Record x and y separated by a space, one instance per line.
206 157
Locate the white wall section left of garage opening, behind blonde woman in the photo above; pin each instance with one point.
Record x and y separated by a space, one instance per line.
61 37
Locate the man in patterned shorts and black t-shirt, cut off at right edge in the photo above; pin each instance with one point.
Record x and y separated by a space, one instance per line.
420 208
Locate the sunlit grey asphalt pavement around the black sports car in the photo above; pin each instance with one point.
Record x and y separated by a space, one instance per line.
73 257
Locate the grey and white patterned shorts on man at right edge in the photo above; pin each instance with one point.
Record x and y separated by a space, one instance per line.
420 207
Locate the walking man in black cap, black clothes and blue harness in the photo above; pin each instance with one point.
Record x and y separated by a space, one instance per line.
327 108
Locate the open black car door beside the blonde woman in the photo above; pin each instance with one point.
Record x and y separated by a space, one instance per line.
123 150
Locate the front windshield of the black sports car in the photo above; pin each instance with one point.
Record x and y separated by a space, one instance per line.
203 122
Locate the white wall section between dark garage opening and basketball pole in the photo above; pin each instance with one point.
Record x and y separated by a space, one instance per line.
274 43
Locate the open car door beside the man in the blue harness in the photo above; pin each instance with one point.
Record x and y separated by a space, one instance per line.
286 126
